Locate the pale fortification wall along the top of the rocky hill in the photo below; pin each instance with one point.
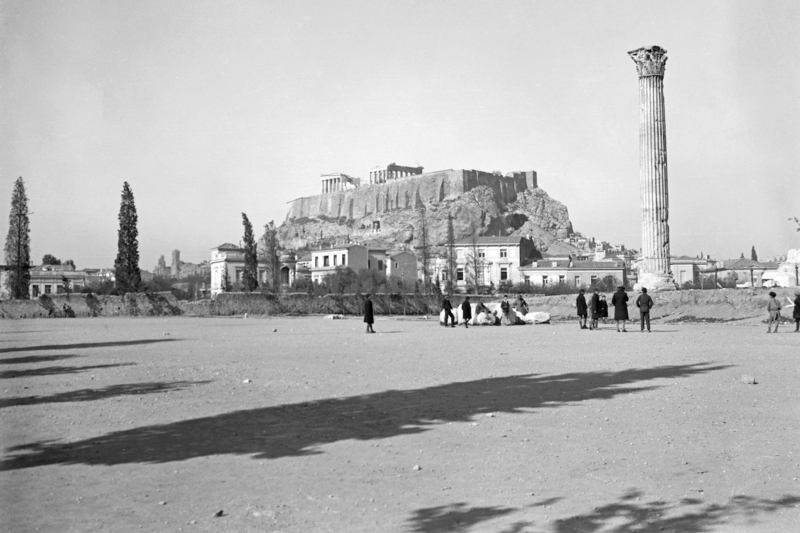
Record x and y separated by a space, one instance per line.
408 193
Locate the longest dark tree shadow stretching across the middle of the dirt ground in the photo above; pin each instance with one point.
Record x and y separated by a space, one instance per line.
299 429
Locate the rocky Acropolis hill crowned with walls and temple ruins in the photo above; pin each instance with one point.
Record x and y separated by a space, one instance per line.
386 211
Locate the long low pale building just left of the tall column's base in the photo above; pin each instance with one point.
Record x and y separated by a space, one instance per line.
552 270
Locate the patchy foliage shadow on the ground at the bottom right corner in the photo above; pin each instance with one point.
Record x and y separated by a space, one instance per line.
626 515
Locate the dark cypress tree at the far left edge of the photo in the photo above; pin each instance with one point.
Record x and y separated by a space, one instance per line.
18 243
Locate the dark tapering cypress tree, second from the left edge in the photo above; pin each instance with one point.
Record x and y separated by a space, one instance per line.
126 265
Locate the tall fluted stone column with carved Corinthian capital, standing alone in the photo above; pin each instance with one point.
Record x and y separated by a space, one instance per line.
654 273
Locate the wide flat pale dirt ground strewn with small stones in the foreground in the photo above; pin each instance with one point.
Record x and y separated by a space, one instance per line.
304 425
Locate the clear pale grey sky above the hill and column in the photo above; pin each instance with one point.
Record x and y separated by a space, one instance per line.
210 109
